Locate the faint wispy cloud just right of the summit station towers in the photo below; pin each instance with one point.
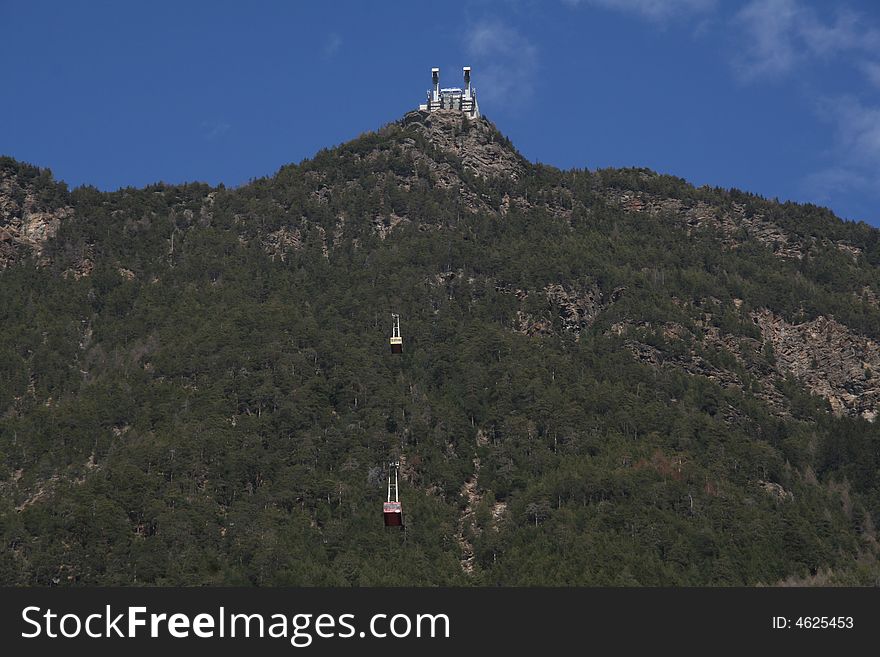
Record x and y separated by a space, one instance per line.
505 63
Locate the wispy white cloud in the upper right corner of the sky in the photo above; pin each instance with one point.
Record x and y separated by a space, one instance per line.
778 35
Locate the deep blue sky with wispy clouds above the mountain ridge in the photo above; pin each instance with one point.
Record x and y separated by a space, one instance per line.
777 97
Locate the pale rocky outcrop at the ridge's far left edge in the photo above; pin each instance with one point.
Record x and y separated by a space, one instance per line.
26 222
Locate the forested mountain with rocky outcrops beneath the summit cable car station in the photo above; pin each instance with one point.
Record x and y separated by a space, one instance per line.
608 377
